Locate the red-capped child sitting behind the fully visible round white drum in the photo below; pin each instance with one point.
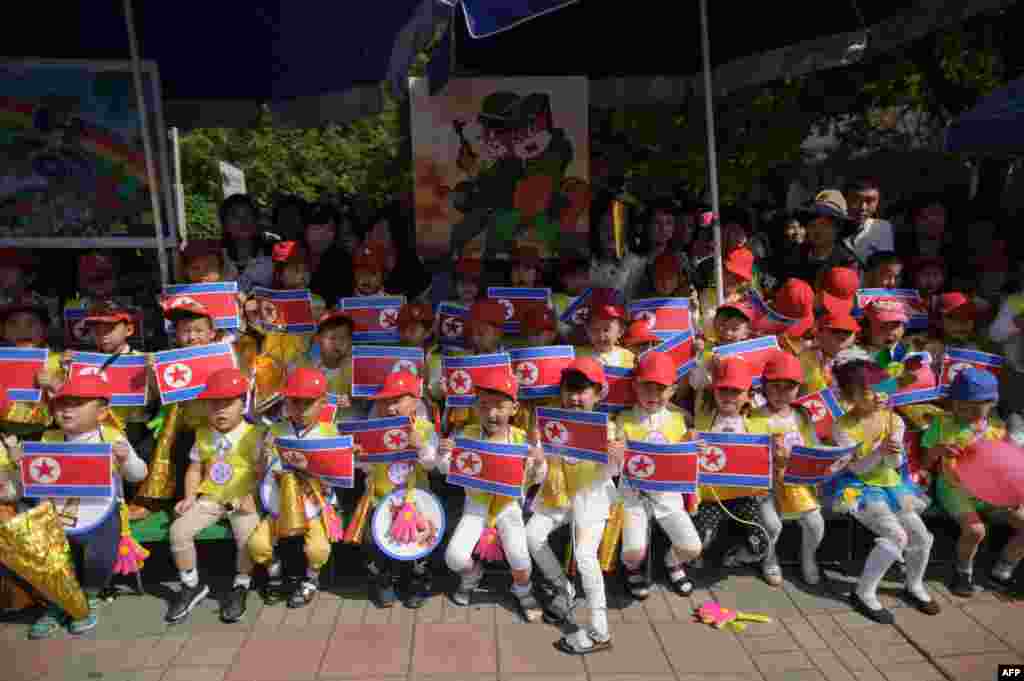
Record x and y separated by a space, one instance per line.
400 397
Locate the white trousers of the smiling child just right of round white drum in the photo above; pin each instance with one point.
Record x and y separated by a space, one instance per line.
511 530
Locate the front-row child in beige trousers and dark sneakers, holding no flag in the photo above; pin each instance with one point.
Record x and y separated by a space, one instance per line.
225 470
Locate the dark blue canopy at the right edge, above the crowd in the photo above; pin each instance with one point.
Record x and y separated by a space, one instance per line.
995 126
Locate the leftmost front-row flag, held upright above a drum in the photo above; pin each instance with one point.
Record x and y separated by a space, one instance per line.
67 470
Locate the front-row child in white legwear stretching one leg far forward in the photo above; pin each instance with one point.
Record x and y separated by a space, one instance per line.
581 493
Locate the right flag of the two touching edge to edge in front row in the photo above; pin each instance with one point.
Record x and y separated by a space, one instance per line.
737 460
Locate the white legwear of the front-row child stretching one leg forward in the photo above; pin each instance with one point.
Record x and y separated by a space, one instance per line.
588 539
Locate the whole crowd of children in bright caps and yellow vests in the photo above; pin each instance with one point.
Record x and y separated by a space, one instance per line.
225 447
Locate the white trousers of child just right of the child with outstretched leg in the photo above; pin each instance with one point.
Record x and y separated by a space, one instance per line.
670 512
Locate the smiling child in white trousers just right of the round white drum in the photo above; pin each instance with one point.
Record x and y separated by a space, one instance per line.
497 393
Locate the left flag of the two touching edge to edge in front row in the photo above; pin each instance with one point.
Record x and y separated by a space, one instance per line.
662 467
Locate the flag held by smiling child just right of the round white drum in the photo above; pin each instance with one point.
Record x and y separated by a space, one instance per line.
491 467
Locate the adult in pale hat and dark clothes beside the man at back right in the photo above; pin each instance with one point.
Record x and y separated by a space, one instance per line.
826 219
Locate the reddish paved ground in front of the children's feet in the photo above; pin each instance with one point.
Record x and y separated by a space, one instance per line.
815 635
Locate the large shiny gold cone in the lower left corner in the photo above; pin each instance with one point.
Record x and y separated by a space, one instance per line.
33 546
